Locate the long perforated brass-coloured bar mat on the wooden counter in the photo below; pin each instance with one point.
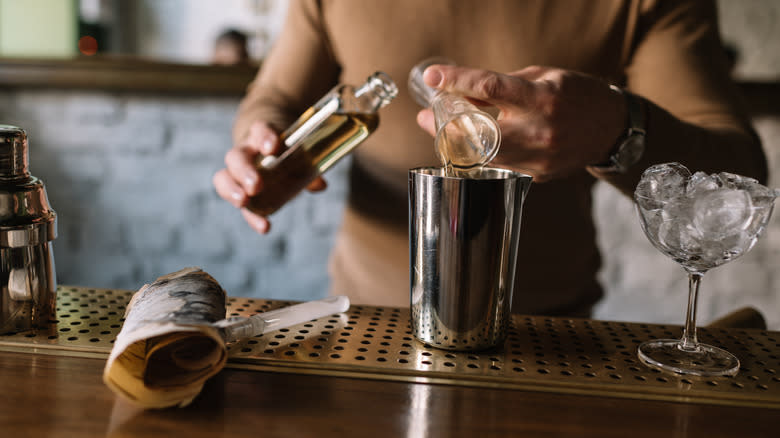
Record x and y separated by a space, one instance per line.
575 356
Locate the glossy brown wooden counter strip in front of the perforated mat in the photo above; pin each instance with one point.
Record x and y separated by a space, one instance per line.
53 396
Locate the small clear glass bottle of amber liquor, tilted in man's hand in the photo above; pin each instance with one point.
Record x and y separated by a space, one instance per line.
326 132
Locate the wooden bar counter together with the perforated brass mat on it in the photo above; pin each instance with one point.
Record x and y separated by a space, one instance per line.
322 379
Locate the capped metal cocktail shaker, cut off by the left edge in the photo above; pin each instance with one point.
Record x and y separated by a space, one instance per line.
27 227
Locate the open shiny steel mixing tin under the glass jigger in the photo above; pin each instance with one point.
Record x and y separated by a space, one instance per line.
463 243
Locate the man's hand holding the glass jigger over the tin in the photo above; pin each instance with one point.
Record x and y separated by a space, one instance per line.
552 121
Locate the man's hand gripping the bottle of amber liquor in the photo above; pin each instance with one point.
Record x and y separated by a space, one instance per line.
240 179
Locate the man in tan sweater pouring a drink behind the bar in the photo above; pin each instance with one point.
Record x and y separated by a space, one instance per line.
585 91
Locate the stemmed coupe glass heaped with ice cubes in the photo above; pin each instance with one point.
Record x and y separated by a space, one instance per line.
701 221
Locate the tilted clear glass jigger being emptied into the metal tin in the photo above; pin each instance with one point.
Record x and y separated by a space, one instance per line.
466 137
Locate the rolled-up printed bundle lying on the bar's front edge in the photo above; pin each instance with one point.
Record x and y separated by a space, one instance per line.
169 346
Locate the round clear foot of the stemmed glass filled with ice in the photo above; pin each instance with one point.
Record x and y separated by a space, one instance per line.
703 360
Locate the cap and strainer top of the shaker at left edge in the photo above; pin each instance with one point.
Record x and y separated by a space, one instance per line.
26 218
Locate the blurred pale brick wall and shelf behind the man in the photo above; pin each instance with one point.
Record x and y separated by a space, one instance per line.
129 170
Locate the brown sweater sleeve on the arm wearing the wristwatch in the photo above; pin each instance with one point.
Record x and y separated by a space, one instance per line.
694 112
